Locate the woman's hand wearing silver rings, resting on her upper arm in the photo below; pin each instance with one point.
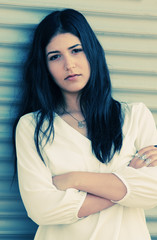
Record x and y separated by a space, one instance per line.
145 157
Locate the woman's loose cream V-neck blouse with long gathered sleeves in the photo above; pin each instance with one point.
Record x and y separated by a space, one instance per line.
56 211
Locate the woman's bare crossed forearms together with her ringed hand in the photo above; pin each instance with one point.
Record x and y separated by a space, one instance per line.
101 188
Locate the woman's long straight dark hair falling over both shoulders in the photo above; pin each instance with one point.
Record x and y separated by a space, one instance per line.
102 113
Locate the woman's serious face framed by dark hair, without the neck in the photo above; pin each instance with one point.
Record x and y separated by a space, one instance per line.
67 63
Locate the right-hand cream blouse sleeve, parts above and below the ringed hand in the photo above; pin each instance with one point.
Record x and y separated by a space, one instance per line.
141 183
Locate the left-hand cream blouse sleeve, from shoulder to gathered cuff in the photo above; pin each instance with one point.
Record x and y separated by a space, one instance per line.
45 204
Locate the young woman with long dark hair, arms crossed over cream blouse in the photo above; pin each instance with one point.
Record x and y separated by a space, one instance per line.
75 144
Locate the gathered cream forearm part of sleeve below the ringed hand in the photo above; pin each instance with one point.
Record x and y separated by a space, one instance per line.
141 187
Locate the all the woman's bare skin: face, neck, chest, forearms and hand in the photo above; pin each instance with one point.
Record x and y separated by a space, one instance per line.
69 67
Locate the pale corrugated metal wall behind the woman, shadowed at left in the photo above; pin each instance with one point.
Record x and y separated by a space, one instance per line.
128 33
